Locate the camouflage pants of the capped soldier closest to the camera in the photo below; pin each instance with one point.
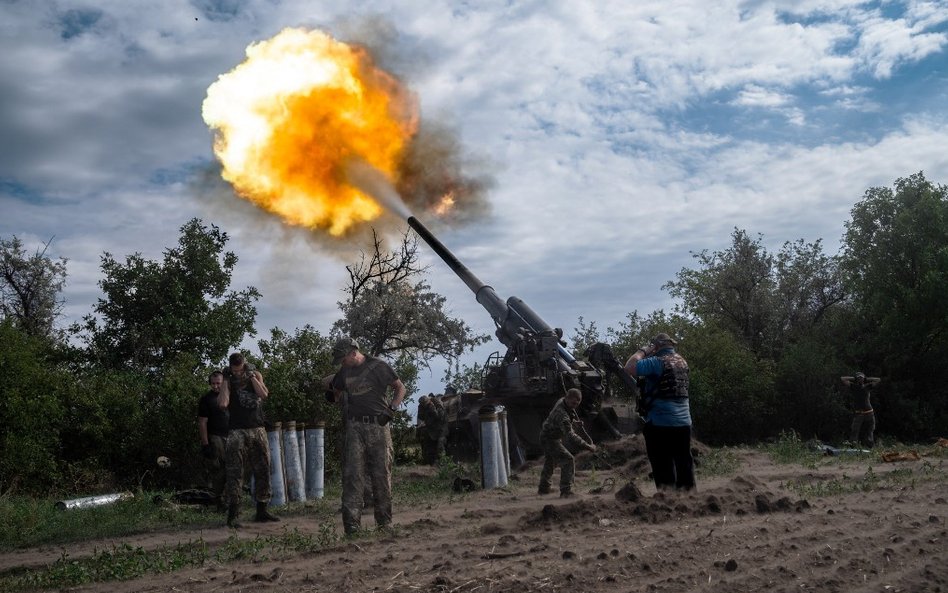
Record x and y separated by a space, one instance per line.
367 458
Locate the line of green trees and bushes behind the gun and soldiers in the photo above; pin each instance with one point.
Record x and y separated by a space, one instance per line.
767 335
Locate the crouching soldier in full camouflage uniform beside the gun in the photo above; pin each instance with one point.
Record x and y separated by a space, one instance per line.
557 427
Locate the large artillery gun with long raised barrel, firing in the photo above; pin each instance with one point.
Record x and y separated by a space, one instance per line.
531 376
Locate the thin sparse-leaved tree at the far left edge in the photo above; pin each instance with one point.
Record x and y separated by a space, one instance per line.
30 287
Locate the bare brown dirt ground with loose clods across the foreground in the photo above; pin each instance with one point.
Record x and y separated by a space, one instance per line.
741 533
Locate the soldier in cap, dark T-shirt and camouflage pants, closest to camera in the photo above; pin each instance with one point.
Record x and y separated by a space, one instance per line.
362 382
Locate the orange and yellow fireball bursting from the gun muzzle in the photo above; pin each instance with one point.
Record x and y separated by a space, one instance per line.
290 119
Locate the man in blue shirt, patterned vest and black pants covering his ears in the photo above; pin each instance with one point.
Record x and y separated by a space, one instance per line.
665 410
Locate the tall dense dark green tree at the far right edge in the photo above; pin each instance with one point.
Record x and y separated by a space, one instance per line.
895 260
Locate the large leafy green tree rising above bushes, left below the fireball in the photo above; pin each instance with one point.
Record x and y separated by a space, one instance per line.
154 311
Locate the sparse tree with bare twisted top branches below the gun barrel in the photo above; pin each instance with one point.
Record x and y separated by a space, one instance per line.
391 313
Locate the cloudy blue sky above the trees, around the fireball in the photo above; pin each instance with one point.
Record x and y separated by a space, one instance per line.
621 137
